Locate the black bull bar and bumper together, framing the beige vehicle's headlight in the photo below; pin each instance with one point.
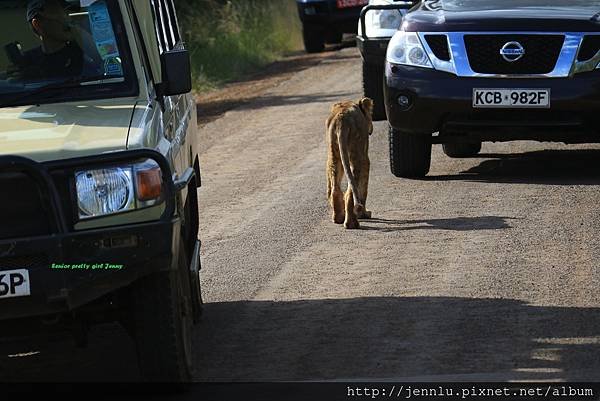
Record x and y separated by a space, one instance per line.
69 268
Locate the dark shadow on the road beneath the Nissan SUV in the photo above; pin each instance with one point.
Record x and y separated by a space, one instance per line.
547 167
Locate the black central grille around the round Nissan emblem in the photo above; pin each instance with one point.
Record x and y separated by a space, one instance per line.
541 53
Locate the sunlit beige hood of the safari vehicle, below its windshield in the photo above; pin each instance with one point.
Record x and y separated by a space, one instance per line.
66 130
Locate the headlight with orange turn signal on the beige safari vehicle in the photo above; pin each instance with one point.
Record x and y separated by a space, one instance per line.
117 189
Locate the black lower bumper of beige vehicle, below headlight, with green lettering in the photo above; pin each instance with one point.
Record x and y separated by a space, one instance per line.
140 249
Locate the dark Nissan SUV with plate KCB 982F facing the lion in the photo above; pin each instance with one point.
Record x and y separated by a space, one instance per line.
491 70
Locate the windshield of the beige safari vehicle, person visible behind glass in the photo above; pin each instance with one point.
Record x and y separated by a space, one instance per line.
58 50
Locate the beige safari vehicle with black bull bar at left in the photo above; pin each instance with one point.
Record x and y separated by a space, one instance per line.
99 171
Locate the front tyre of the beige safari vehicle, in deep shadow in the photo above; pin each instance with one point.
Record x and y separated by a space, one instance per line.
162 325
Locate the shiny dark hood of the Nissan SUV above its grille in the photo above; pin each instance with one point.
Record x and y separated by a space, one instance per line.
504 15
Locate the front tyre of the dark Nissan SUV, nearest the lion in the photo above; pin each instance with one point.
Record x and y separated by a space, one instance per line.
410 155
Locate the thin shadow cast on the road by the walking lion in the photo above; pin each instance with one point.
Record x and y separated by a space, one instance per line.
454 224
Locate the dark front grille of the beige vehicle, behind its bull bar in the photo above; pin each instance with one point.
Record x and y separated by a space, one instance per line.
22 211
